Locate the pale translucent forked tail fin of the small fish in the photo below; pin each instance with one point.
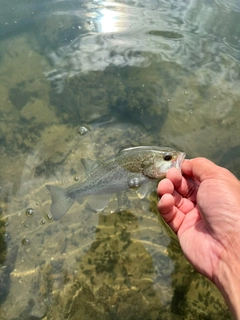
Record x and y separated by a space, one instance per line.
61 202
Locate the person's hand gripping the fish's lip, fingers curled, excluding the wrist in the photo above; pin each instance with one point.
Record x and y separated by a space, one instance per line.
202 206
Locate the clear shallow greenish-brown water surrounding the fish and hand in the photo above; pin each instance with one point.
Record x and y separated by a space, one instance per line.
130 72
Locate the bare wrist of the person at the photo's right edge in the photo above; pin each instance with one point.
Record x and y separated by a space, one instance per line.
227 280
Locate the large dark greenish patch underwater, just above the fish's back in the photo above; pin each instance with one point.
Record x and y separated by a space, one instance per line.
101 93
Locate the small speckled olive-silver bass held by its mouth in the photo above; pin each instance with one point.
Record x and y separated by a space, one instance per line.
131 168
